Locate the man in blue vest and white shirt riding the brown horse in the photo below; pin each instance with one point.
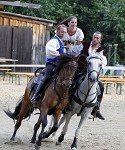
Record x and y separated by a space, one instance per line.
54 48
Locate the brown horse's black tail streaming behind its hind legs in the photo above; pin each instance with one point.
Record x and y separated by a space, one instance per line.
14 115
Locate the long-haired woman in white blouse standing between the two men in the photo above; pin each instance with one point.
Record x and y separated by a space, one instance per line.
74 36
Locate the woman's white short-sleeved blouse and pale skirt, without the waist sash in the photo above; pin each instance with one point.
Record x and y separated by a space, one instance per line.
78 36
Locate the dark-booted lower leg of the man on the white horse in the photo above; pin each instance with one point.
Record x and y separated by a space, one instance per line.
96 110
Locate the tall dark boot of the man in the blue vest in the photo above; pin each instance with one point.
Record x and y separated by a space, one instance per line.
36 95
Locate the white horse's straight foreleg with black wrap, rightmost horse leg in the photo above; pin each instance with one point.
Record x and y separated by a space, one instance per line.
78 130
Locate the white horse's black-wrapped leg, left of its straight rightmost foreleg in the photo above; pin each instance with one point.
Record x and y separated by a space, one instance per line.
65 118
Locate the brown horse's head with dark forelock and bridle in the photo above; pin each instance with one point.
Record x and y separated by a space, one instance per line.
67 72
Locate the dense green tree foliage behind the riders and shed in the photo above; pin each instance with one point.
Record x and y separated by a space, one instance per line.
106 16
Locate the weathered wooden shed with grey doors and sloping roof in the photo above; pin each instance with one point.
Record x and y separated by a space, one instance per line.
24 37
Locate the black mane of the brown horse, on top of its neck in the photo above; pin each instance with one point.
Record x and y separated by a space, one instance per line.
63 59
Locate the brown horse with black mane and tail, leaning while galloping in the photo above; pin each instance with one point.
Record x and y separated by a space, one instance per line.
53 101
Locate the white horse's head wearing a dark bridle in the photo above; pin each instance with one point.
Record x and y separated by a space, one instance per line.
94 66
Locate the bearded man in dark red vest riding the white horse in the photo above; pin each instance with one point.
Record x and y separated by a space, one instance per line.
88 48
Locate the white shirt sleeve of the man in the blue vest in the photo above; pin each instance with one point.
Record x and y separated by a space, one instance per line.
51 48
